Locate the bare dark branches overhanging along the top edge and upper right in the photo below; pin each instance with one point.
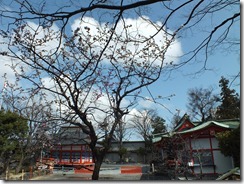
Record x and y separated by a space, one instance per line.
189 15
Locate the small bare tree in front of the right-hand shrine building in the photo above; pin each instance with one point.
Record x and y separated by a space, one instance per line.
178 154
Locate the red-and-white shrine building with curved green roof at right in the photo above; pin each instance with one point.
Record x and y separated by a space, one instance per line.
200 151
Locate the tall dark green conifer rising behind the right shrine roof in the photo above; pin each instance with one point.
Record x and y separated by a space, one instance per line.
230 102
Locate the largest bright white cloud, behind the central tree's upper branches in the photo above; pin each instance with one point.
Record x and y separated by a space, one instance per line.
133 38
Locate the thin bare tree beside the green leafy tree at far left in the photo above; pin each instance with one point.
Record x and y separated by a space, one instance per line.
41 125
